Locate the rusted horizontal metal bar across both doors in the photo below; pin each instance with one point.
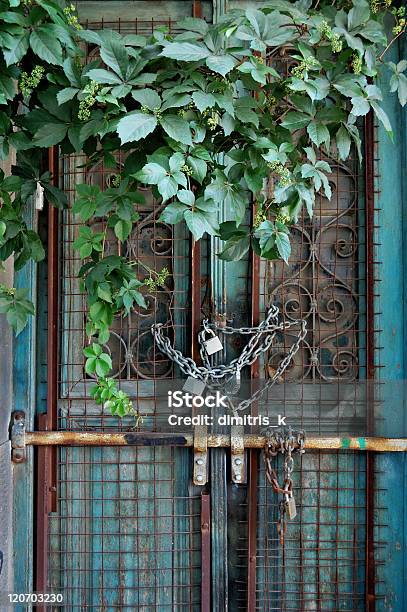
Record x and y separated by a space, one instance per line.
78 438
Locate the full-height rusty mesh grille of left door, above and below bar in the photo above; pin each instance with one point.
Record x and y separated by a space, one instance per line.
126 533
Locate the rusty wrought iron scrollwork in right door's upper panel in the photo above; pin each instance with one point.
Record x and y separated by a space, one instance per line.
321 285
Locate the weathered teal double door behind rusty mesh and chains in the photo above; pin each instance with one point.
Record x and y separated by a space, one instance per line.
124 528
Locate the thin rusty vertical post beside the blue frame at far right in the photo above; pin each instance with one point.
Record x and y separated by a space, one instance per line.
370 355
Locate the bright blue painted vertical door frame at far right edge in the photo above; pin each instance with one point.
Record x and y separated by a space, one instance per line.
392 467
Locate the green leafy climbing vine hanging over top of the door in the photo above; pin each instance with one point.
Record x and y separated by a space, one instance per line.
206 117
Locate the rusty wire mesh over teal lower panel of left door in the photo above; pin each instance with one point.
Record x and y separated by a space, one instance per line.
127 532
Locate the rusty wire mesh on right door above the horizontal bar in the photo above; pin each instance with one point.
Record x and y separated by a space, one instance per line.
325 283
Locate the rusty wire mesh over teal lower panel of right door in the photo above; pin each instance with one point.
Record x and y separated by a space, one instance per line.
322 564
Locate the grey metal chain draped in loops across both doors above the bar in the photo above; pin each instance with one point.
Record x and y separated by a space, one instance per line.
249 355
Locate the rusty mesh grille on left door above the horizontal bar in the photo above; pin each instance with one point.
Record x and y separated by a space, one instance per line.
137 363
